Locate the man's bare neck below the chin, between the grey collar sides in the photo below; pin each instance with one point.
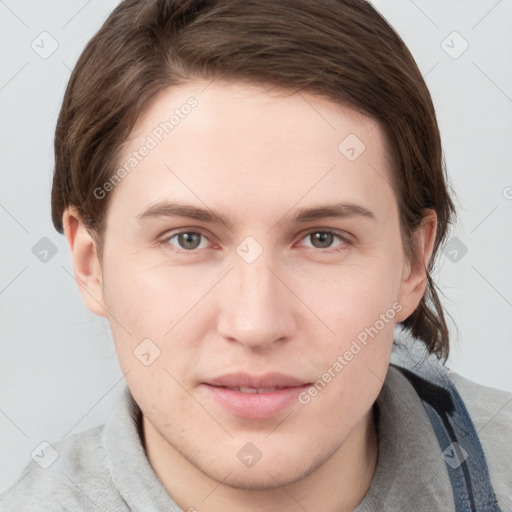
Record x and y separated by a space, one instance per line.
349 471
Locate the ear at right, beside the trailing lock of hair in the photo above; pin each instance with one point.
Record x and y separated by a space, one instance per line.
414 276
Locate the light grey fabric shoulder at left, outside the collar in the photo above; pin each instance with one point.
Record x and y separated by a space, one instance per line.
71 474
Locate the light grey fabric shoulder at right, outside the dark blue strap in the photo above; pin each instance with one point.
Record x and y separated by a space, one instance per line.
490 410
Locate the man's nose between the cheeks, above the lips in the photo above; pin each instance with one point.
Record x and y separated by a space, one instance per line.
256 308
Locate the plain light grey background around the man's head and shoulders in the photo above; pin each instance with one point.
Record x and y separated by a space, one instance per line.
59 373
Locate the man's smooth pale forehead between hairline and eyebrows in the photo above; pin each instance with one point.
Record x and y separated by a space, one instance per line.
242 145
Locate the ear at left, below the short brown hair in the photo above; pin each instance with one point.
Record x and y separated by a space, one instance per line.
86 265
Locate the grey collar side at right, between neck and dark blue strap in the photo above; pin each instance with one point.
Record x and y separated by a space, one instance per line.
411 473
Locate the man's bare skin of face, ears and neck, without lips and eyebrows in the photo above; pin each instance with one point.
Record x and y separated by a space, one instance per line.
256 156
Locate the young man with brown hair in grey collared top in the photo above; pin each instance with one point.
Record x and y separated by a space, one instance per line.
253 195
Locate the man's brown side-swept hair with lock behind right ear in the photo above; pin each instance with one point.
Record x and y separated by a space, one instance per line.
343 50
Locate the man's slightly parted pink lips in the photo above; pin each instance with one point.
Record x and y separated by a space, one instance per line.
254 397
